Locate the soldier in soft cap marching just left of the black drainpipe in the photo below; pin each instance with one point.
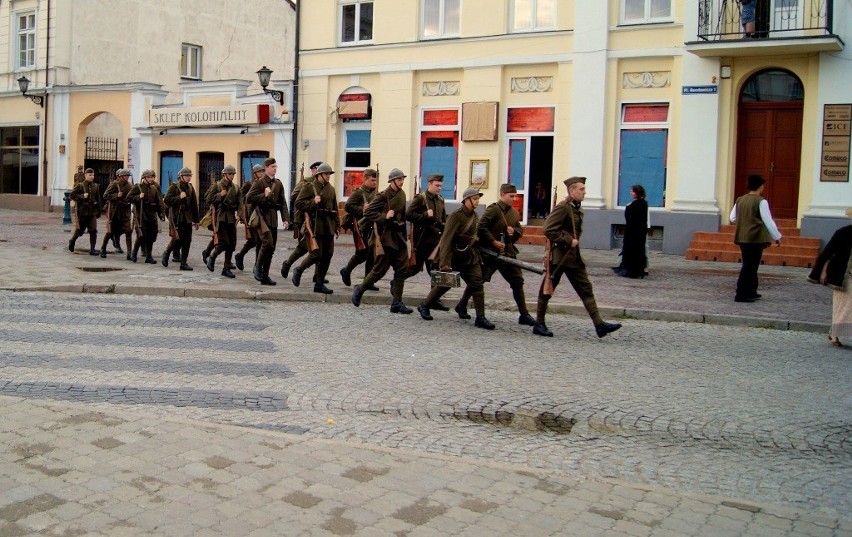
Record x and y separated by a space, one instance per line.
266 195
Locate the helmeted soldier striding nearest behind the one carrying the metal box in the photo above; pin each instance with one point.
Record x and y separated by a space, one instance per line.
387 211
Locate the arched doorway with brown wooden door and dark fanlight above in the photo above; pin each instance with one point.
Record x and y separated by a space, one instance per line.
769 138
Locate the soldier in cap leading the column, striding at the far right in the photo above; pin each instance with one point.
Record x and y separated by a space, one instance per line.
563 229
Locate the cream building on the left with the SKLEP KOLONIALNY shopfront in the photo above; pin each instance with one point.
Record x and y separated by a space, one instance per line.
102 69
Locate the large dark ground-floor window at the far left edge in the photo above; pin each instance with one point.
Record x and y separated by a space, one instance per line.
19 157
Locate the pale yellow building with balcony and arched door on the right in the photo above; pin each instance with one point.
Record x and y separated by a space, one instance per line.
666 93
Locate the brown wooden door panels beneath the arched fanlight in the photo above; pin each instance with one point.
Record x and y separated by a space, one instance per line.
769 144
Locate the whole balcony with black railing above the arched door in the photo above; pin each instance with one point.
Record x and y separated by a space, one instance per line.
781 27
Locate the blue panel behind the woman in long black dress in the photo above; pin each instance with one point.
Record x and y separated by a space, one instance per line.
643 162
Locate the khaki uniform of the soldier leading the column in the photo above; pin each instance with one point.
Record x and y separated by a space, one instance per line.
564 224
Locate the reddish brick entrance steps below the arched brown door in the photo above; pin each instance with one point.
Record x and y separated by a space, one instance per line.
795 250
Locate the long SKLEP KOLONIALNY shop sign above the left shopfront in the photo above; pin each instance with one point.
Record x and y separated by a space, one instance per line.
209 116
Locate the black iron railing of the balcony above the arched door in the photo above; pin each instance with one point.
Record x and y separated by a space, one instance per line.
720 20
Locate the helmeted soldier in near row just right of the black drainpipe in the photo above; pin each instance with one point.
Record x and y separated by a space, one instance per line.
318 202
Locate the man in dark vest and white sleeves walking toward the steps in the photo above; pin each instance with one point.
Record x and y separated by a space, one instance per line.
755 231
